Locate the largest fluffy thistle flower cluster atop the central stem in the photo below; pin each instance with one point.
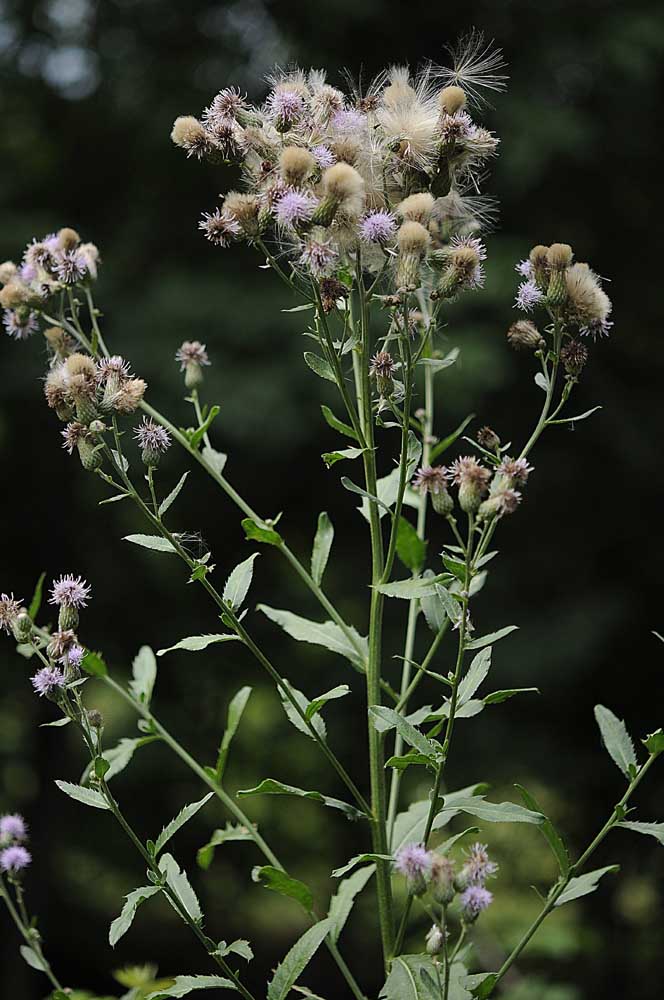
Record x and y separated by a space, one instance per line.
386 172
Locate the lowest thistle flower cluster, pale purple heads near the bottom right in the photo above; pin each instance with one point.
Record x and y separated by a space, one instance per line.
430 872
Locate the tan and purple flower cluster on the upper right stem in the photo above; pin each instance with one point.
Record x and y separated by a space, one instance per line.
569 289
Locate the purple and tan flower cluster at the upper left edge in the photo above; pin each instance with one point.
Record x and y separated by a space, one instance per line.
55 263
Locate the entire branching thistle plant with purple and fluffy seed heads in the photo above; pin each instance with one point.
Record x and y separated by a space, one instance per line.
367 205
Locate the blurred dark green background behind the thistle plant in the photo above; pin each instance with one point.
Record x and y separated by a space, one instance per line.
88 93
